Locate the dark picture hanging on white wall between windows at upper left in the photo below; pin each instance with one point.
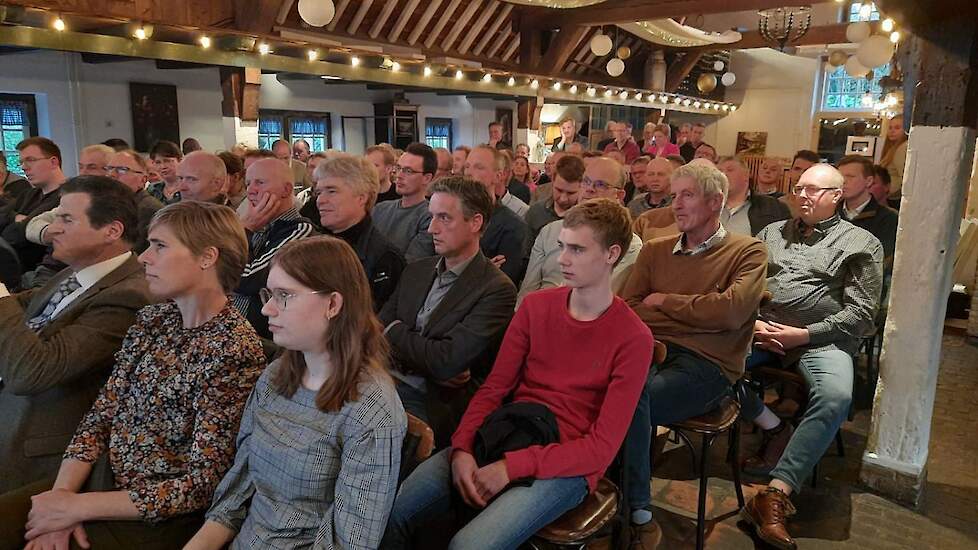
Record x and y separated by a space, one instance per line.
154 114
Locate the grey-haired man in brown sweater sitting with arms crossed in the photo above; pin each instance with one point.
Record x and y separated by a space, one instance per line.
699 292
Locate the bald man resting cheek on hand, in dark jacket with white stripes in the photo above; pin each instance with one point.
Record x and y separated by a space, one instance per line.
271 220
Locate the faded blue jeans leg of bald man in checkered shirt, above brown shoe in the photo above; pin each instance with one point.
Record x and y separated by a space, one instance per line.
829 378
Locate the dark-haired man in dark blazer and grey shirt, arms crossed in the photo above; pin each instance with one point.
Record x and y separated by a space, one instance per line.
447 318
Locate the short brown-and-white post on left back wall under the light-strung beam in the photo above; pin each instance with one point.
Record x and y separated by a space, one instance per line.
240 88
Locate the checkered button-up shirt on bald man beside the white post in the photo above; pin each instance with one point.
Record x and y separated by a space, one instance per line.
828 281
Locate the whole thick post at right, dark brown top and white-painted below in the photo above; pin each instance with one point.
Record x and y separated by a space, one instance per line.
939 166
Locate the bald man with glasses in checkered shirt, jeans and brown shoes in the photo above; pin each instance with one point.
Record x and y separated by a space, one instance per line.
825 275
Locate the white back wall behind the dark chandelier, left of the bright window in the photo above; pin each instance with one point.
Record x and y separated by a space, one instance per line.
775 92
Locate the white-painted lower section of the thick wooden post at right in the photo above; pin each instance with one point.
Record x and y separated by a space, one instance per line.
935 186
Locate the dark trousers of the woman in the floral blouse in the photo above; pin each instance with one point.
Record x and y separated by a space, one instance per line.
110 535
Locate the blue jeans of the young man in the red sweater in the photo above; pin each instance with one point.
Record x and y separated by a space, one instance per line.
512 518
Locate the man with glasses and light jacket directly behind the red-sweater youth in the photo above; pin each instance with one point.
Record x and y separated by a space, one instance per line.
603 178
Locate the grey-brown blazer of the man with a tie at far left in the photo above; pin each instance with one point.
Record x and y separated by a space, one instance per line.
50 379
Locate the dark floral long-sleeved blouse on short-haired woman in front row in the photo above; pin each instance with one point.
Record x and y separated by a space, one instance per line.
169 412
